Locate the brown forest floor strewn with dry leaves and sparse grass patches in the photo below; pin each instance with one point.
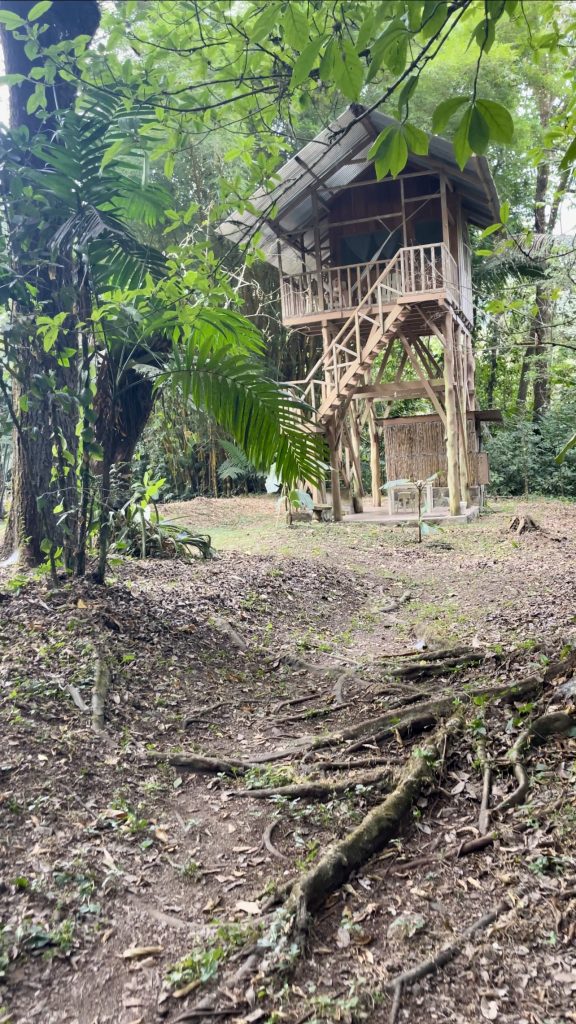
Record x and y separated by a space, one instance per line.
135 889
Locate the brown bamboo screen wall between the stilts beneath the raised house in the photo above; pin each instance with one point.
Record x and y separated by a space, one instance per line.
416 449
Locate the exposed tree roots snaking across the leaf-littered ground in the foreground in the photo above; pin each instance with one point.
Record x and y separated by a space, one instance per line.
284 931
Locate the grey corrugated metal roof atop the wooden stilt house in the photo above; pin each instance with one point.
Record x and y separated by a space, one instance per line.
336 158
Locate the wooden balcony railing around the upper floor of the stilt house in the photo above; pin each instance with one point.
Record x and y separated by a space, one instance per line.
418 274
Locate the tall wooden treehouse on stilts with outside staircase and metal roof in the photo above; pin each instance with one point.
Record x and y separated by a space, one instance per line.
376 280
